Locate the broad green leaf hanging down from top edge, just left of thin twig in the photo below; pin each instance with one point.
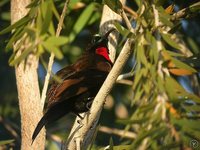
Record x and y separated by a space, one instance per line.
47 13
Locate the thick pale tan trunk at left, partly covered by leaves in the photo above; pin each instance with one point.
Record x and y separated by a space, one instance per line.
30 106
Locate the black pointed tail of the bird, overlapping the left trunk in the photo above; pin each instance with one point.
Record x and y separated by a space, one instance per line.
53 113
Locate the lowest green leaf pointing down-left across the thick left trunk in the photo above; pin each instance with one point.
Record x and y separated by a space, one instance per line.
21 57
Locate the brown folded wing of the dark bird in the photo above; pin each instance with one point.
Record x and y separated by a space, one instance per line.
76 84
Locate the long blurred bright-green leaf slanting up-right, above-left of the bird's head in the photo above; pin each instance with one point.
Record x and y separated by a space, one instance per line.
82 21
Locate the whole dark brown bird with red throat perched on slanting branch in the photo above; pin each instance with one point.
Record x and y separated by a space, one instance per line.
80 83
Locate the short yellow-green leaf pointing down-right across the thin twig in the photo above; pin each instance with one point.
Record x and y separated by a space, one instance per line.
52 48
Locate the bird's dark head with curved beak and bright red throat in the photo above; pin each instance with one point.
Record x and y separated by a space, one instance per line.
99 45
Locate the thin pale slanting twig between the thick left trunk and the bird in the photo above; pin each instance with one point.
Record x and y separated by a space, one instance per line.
51 59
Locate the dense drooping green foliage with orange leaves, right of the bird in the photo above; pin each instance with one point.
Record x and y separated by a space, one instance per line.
166 115
